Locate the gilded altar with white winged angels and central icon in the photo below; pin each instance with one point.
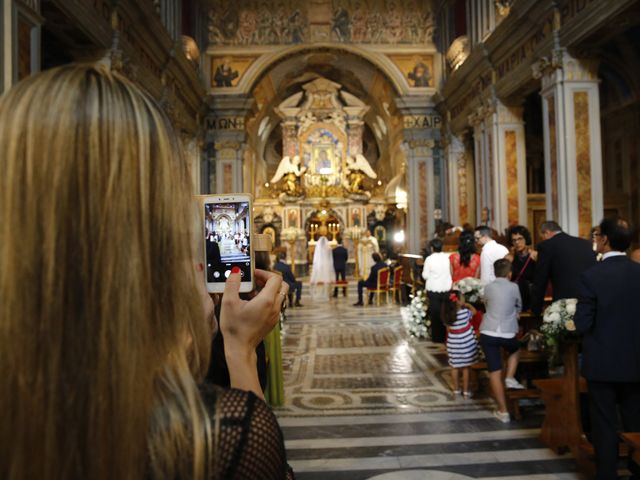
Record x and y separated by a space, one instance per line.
323 185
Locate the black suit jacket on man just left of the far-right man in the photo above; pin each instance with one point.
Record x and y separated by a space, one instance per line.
561 260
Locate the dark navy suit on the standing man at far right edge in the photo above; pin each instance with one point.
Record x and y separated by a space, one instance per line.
608 314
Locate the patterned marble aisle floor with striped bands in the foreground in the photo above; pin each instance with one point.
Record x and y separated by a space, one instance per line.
365 401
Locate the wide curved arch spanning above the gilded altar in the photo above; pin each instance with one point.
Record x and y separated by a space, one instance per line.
266 62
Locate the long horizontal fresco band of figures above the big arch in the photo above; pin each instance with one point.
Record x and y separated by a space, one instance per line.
260 22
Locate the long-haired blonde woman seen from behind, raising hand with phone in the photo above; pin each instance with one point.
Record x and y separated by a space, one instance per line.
105 326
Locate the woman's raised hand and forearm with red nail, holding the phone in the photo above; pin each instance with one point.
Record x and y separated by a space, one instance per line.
245 323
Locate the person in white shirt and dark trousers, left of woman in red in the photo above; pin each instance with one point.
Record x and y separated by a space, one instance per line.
437 274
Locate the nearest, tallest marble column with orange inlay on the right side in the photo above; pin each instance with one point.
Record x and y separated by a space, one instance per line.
573 152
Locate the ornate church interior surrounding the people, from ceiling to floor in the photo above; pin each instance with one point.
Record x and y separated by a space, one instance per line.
382 125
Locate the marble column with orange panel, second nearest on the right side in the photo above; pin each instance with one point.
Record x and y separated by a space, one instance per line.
501 193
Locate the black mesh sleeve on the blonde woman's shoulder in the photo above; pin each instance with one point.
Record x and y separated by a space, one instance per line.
249 442
